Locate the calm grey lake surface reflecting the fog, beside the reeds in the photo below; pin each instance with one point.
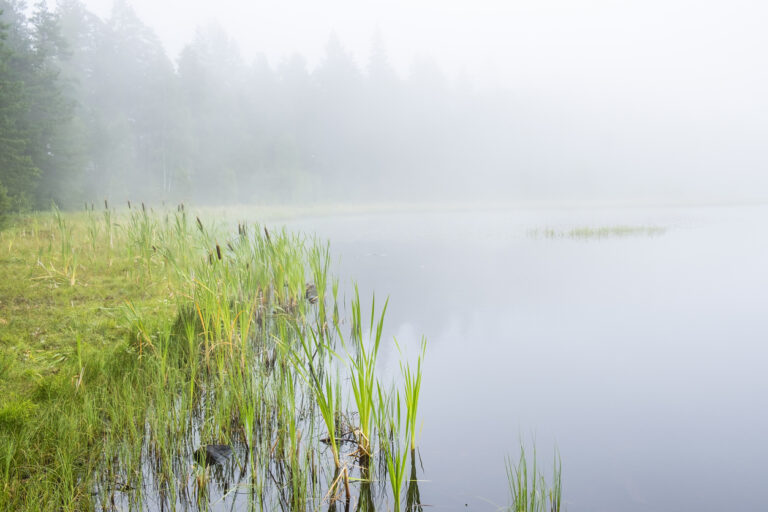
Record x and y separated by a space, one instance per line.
642 358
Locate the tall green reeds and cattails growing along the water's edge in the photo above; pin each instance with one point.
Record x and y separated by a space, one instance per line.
242 357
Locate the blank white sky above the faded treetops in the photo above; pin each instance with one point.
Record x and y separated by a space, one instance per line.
656 46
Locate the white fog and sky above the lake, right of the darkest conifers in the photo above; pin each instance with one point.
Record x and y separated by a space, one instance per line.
652 101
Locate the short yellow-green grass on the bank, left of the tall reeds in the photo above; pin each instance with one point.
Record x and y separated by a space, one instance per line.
64 346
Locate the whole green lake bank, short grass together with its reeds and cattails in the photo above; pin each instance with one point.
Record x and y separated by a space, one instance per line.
151 360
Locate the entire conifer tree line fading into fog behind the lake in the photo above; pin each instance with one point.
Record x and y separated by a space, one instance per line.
95 108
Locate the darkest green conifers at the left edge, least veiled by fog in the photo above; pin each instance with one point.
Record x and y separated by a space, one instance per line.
35 119
